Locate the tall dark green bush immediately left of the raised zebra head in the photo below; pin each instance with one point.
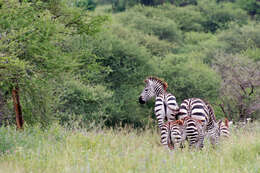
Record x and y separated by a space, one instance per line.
129 64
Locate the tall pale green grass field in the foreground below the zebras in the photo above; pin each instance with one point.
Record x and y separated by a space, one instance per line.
121 151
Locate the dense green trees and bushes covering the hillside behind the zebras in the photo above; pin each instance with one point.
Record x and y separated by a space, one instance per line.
84 61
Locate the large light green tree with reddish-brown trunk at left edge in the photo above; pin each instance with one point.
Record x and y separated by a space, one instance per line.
35 52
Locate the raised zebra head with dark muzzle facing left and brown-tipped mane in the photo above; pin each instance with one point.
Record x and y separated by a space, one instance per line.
154 86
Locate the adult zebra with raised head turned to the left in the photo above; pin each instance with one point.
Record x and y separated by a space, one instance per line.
166 106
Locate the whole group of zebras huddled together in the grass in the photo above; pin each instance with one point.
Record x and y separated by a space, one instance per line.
192 121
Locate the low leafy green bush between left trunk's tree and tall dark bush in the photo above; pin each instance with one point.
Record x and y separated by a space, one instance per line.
84 103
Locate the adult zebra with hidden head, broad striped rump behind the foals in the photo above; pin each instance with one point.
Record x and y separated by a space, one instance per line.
202 111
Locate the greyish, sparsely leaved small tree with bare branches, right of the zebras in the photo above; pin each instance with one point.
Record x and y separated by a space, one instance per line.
240 90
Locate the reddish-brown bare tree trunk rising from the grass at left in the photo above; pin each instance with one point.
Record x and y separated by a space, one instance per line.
17 107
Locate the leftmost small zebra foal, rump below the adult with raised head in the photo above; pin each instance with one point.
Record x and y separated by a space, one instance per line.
173 132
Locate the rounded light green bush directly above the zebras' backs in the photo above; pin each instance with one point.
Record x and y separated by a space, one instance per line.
189 78
